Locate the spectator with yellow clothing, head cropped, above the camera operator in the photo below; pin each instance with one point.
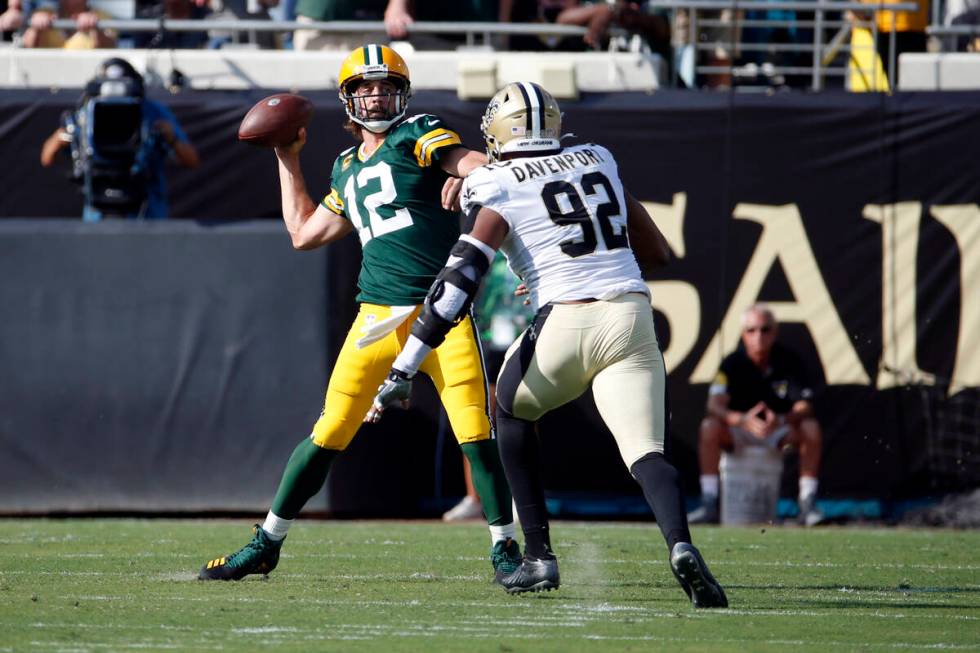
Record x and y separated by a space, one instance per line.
86 36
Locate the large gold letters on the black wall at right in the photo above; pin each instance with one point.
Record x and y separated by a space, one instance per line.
784 240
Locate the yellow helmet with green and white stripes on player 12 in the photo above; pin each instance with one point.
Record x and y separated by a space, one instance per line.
368 63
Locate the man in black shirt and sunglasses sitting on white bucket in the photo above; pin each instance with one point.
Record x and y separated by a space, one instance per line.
760 397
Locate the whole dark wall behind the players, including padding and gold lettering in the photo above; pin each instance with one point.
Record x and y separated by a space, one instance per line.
173 366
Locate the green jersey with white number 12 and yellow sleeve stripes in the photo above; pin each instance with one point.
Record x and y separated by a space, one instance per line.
393 200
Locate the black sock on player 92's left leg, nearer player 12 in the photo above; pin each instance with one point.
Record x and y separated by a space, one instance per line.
522 463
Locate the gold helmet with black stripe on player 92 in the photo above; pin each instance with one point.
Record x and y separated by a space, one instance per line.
521 117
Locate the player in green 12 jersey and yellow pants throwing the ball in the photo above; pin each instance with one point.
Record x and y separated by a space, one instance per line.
387 189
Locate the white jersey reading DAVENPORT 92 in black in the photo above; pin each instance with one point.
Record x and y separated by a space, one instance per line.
567 217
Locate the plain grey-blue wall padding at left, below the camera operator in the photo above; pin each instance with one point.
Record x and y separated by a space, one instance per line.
147 365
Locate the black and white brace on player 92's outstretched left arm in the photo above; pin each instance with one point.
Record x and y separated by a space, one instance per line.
451 295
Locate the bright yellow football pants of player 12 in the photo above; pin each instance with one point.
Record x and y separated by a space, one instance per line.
455 367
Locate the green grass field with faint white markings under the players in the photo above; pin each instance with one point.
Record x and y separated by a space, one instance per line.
122 585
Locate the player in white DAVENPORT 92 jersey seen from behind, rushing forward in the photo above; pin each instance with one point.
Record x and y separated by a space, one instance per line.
564 221
